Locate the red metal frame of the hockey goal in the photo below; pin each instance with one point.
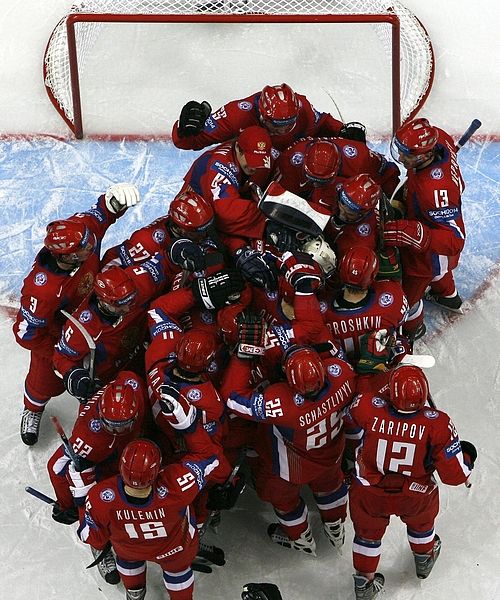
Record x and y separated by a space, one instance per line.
72 20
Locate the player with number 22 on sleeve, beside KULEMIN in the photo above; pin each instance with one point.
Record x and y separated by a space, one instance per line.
105 424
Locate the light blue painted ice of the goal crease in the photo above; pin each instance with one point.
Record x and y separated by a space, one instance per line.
45 178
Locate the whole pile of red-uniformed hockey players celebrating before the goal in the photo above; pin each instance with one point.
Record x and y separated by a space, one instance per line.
261 330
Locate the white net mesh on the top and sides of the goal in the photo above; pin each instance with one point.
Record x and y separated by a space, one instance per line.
415 47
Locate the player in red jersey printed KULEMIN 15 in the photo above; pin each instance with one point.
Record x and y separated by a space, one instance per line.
145 512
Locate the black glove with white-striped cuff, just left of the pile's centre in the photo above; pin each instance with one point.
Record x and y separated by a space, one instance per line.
217 290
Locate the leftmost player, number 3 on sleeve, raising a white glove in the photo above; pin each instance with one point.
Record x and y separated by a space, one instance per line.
62 275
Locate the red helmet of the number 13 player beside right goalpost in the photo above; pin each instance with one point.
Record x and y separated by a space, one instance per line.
414 142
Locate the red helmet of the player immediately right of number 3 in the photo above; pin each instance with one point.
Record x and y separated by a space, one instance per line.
115 290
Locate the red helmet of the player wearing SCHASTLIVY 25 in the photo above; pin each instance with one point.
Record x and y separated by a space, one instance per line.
304 371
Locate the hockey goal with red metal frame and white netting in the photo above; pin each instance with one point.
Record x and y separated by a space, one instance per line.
400 33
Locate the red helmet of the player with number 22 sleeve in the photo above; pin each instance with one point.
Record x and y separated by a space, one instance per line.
119 407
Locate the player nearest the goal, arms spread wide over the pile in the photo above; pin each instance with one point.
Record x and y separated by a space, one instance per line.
286 115
